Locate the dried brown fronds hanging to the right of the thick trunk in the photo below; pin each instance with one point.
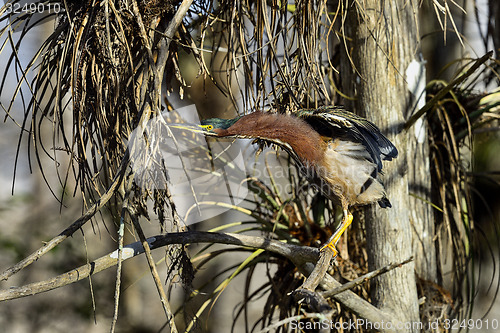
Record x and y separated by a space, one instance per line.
454 118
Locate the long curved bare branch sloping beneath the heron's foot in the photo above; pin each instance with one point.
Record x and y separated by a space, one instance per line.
302 256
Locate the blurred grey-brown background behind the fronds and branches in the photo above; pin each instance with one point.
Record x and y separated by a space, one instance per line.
30 213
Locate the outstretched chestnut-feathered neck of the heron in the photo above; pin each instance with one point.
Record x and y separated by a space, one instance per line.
302 138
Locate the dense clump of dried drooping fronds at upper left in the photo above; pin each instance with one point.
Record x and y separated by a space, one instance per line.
94 80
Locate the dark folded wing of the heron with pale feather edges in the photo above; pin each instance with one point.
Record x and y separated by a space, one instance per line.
339 122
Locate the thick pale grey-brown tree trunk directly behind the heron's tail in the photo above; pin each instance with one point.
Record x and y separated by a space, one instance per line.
382 70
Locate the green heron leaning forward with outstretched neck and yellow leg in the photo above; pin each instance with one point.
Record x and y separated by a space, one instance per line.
340 152
